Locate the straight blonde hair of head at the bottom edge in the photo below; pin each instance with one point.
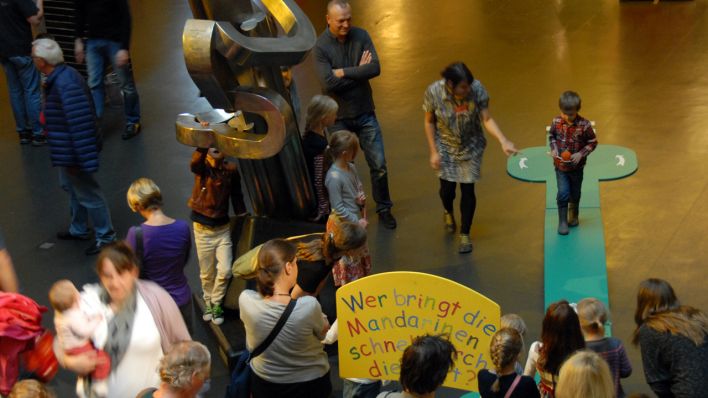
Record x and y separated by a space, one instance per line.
585 375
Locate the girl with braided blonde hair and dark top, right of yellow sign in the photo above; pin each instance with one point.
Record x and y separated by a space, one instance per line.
504 382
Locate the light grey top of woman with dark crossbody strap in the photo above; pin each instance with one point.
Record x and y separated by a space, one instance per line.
296 354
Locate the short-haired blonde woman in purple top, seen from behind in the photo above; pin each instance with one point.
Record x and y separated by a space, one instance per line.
166 244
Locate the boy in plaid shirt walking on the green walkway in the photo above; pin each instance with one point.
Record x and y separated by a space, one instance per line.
571 138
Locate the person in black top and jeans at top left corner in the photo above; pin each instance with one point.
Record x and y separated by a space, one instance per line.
23 81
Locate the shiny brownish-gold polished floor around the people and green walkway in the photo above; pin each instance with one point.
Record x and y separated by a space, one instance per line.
639 67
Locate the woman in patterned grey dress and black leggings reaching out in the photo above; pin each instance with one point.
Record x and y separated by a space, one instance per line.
456 107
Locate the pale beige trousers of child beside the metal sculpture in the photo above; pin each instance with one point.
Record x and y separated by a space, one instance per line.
215 256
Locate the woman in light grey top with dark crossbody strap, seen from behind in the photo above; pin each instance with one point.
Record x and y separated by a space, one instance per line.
294 364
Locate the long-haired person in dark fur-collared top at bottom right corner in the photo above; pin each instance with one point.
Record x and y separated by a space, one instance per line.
674 342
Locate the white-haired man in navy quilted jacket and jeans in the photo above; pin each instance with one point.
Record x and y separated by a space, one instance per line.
71 132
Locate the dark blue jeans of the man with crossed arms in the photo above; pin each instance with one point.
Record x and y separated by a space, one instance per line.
367 128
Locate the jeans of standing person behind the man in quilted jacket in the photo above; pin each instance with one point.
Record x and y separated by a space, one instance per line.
97 52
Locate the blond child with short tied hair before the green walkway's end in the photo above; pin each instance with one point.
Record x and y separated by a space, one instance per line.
593 317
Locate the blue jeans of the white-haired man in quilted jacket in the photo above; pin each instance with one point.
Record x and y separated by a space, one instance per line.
87 201
